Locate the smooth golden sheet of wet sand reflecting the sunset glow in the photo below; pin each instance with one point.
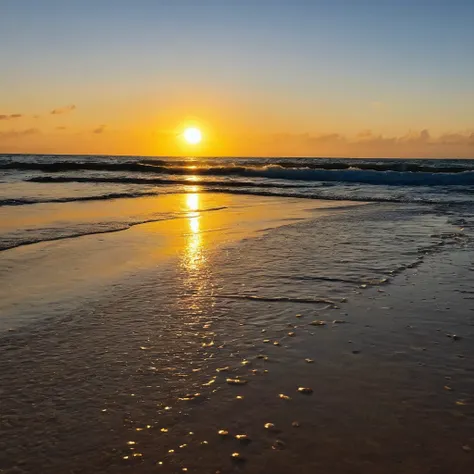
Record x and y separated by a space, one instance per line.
186 222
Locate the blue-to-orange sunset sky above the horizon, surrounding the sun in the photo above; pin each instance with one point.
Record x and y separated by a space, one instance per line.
355 78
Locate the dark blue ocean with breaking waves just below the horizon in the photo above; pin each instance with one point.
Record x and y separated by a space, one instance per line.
33 179
